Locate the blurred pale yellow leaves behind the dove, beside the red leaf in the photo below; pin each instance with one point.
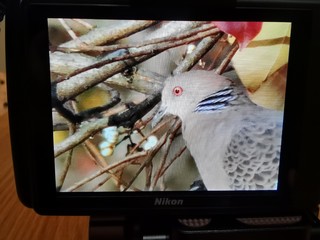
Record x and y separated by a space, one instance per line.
262 66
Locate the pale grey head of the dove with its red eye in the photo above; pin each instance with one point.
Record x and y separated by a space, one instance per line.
181 93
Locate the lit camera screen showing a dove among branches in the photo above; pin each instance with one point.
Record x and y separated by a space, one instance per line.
108 77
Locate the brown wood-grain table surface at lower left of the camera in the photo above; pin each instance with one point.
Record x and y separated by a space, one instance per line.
19 222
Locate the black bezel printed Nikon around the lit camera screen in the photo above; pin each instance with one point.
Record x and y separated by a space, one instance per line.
48 200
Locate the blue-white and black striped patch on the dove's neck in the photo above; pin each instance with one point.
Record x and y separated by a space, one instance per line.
216 101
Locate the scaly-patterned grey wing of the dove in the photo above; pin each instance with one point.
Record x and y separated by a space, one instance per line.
252 157
